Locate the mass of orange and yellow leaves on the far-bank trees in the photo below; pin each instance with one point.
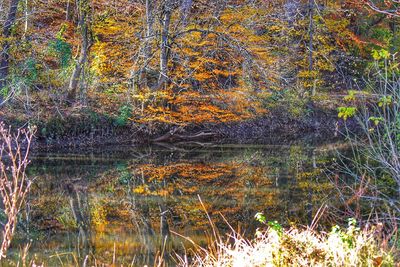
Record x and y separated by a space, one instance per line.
205 70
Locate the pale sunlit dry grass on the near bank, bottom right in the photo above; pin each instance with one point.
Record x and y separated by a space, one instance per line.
295 247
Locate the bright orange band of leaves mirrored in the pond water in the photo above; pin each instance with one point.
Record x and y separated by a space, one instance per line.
192 177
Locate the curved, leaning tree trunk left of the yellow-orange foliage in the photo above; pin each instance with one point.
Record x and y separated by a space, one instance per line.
83 24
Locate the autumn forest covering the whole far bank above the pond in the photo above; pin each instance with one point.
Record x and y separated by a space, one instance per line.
107 69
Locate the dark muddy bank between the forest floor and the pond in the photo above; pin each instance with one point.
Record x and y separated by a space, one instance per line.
92 130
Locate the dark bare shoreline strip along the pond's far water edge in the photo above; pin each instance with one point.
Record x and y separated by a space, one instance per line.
260 131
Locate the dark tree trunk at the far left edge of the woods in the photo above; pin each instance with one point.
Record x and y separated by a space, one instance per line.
5 56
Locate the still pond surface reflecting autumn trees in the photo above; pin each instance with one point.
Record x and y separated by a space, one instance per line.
125 204
